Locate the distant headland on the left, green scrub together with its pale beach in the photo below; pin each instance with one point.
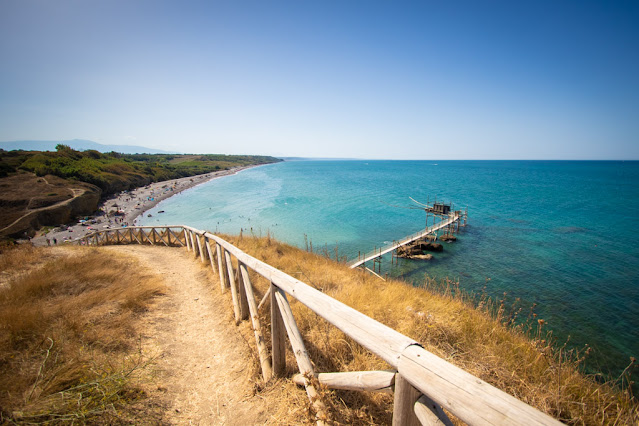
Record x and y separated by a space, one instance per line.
45 189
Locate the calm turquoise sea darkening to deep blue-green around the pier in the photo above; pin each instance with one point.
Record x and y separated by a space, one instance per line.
563 235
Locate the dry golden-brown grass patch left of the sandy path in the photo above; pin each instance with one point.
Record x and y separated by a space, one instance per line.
68 345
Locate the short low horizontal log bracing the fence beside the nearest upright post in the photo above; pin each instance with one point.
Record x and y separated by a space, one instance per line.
369 381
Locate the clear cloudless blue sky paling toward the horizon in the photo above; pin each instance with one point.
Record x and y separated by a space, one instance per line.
326 78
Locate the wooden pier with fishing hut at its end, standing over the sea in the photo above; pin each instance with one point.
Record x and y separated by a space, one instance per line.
450 220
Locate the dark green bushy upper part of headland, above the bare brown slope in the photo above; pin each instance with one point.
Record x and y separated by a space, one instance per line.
113 172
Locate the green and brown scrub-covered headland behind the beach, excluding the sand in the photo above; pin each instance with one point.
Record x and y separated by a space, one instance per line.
52 188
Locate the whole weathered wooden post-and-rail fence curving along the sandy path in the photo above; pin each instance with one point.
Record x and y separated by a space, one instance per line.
422 383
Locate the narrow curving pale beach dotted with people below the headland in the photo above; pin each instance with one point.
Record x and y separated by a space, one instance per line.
123 209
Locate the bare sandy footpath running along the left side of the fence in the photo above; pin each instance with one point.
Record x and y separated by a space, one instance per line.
204 372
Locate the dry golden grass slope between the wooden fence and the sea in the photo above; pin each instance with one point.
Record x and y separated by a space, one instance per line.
517 359
